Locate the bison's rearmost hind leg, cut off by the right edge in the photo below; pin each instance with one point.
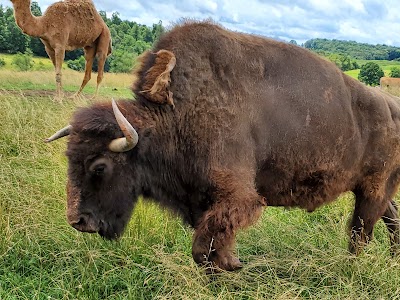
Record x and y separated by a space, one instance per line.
391 219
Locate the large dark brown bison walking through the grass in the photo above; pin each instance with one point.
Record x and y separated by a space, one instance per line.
225 123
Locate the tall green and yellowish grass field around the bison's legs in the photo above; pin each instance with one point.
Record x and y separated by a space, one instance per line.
288 254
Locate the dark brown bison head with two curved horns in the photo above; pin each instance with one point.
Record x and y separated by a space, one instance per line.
100 188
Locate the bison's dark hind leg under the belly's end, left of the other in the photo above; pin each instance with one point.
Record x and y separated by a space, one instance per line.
368 210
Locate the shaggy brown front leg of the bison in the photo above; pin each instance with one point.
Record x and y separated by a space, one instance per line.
236 205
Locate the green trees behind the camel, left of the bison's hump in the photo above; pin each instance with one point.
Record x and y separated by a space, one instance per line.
129 40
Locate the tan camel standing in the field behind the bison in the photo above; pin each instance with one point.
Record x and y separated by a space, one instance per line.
65 26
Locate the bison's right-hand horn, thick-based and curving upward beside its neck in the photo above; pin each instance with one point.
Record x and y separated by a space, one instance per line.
131 137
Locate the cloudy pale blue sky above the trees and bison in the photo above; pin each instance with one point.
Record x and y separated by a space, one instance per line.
366 21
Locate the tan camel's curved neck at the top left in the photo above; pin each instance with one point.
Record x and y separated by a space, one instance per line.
25 20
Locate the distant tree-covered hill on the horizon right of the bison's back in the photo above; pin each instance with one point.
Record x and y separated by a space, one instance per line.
354 49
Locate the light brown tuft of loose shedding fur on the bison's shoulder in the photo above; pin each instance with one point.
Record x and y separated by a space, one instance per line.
158 78
